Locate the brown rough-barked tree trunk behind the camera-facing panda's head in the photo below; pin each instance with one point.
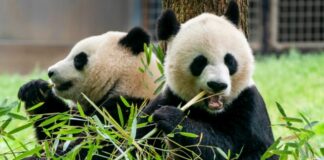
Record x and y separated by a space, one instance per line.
186 9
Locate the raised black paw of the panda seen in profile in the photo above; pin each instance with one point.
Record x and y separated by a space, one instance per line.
34 92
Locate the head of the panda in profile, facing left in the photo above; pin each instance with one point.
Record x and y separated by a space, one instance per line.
103 66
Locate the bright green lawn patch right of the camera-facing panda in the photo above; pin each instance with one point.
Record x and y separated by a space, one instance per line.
296 81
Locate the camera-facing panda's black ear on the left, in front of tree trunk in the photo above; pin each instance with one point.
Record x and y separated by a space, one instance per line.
167 25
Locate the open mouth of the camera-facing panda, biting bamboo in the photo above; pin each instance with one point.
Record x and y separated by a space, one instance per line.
214 101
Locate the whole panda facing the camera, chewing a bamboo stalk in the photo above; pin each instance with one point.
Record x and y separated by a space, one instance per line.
208 53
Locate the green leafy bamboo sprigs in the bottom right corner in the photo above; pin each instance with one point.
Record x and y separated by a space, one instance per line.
296 145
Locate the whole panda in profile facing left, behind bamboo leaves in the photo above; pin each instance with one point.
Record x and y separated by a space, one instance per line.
102 67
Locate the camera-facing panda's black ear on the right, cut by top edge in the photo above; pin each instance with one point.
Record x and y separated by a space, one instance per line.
233 13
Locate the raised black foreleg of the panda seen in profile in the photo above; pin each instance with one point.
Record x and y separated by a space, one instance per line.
35 92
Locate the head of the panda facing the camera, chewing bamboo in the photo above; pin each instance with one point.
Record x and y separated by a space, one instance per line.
207 53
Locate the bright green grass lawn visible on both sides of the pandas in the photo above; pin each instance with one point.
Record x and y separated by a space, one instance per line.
295 81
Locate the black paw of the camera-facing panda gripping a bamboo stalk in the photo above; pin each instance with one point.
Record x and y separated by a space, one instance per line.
168 118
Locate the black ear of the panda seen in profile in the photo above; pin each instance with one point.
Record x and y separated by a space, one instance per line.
135 40
